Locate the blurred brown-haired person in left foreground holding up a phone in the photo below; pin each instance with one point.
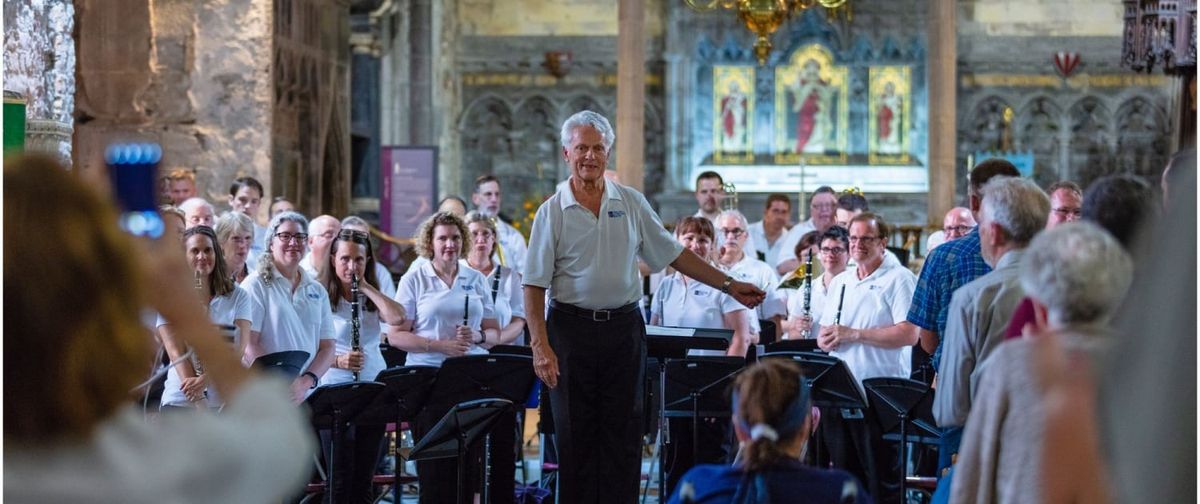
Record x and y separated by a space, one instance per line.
75 350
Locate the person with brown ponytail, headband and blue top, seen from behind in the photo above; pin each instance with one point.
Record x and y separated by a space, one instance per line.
771 417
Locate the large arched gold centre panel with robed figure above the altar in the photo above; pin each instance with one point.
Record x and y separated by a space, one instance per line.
812 109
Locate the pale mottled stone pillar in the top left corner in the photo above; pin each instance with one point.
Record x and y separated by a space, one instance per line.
39 64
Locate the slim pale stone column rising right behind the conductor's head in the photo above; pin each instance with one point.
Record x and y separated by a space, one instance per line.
631 93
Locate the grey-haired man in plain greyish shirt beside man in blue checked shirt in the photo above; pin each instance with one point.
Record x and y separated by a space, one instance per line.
1012 213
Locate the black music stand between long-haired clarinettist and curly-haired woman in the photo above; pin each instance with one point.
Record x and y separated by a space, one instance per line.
406 393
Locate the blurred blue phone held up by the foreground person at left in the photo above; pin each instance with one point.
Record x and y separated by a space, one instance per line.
134 170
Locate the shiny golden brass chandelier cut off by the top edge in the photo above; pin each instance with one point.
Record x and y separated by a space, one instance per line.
764 17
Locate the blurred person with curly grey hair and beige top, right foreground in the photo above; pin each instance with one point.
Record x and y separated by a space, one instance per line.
1077 275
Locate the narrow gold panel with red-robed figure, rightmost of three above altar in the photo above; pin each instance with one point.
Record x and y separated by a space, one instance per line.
890 118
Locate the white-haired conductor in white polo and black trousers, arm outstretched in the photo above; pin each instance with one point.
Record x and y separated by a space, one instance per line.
591 349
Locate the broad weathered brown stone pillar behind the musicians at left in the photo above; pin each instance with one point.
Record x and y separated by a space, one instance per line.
194 77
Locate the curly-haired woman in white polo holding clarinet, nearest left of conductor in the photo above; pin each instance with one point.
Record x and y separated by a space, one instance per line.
439 297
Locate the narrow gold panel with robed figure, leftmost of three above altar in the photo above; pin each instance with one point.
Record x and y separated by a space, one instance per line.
733 112
